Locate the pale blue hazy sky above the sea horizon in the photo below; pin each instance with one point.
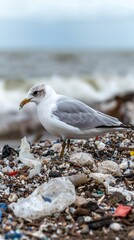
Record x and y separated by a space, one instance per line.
67 24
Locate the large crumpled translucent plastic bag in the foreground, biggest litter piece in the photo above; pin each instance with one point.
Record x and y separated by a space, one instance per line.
59 191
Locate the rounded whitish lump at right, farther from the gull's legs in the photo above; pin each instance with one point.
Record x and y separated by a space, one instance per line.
109 167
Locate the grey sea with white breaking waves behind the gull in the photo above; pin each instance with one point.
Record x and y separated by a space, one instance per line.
88 76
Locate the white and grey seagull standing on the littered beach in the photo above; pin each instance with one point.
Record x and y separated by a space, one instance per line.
69 118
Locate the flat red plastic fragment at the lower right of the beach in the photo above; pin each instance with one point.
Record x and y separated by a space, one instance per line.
122 211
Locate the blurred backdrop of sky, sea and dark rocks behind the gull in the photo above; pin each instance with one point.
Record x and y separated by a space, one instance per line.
82 48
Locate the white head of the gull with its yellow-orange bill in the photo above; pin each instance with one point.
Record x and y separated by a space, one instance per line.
36 94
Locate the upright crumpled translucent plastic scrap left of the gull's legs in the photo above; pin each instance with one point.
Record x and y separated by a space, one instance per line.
28 159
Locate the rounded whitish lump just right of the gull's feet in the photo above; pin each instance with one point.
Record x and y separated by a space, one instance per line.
82 159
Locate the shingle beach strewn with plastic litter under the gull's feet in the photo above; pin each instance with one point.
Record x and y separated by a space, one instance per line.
89 194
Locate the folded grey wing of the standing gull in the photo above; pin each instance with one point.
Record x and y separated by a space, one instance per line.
80 115
